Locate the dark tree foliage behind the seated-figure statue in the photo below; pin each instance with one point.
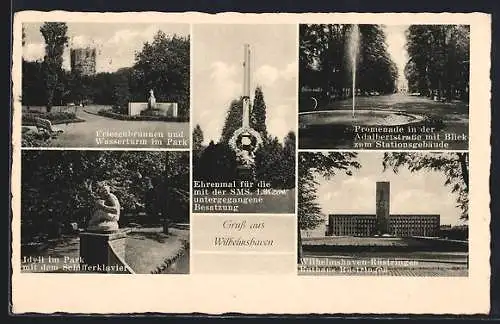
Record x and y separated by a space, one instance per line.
57 184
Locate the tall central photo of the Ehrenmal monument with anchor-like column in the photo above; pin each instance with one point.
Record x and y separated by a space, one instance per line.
244 118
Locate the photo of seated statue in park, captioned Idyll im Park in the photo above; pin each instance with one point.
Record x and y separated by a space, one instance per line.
121 212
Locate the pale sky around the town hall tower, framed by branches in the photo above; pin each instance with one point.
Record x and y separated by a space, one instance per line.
419 192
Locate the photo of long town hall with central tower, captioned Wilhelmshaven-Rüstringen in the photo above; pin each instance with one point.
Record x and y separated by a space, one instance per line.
371 213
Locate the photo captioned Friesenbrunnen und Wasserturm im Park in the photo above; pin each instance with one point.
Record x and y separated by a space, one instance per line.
109 85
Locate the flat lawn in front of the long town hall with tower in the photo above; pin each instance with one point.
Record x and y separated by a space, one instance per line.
381 257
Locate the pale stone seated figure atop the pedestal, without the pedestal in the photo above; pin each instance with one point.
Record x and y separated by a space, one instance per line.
107 211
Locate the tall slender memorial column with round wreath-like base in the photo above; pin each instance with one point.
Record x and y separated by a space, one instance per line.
246 140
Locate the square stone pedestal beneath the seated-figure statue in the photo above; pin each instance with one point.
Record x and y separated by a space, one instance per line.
103 252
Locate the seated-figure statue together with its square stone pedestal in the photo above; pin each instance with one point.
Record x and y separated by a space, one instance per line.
102 245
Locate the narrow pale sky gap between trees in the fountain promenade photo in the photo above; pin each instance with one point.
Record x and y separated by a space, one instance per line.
396 40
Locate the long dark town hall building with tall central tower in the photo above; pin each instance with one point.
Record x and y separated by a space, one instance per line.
382 222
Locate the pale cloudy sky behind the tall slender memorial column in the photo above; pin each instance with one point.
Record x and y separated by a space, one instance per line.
218 74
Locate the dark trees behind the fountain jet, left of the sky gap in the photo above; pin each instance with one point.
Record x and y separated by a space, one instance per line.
325 62
